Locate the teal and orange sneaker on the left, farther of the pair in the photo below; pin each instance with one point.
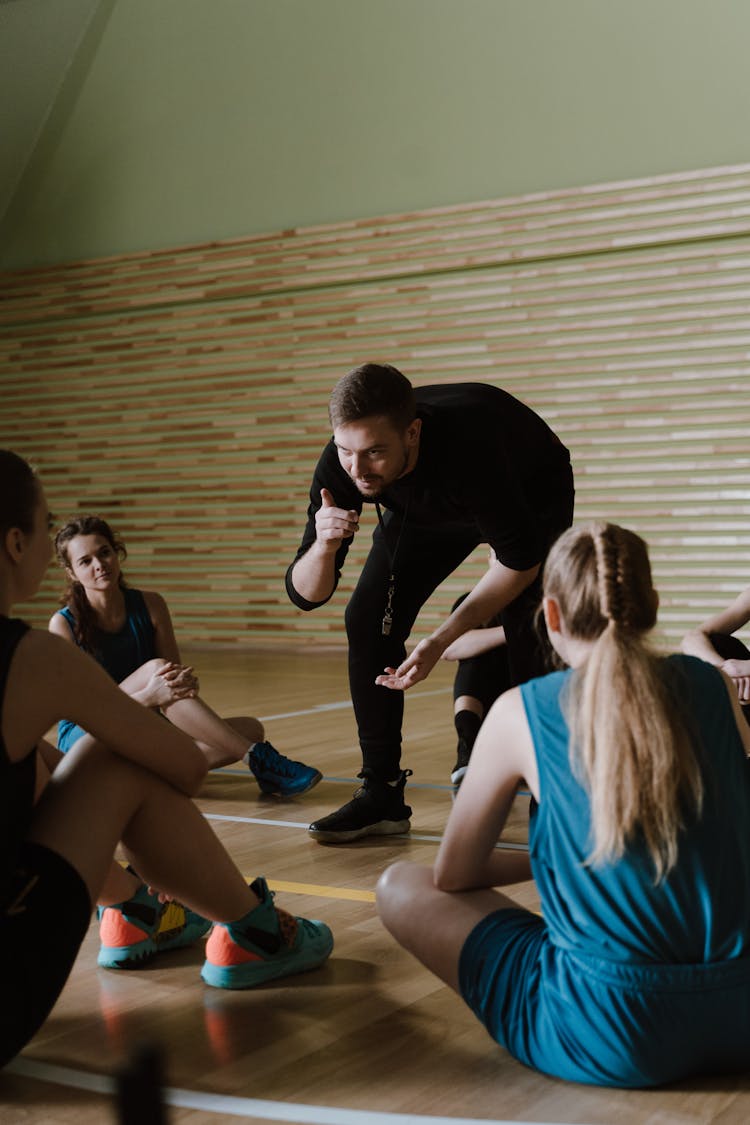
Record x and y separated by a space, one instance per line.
132 933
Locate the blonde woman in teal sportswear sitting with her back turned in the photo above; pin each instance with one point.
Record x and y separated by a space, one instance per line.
638 971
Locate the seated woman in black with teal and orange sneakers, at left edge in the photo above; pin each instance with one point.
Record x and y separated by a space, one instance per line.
132 784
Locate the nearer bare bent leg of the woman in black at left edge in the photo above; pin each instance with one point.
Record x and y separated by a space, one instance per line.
96 799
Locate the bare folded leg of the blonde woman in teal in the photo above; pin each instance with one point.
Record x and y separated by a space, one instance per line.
431 924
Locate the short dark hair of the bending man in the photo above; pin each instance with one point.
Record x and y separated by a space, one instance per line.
374 390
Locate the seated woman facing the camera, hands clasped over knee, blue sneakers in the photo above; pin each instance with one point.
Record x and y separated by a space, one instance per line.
130 633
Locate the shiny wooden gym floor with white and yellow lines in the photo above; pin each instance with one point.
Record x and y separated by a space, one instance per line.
372 1039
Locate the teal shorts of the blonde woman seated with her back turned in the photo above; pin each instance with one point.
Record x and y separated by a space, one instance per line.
604 1023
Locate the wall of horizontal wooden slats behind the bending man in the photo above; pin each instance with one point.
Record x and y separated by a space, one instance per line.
183 393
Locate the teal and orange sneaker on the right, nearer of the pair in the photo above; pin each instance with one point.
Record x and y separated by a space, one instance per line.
266 944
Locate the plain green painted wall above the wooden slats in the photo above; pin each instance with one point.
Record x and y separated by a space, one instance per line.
201 120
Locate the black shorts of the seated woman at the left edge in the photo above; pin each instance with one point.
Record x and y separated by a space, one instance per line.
44 919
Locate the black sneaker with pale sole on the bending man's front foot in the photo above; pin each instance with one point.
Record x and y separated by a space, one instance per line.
377 809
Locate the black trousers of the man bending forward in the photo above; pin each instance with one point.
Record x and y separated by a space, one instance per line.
427 556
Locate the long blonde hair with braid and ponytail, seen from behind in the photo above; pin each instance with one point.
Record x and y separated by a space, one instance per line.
629 742
